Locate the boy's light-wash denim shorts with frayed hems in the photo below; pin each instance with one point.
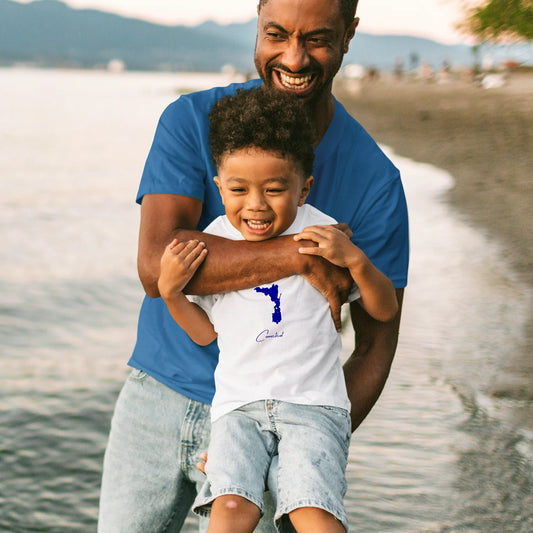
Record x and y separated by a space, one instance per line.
311 443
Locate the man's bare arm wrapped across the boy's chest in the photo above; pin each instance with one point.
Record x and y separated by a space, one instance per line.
229 265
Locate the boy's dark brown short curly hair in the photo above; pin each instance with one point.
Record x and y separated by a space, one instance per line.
259 118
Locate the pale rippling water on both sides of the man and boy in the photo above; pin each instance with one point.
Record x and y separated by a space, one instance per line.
439 452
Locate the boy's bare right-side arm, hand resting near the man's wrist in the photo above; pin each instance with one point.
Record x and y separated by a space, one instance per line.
378 296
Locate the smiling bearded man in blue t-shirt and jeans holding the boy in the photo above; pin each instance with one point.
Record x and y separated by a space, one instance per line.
161 421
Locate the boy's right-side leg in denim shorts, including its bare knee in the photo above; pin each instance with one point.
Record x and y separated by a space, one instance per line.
311 481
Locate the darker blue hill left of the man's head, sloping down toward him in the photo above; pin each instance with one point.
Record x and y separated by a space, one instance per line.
48 32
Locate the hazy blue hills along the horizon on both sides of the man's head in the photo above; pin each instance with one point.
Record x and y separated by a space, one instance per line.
50 33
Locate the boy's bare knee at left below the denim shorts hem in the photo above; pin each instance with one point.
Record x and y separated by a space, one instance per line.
233 514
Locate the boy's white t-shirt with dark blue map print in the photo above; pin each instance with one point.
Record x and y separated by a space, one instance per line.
276 341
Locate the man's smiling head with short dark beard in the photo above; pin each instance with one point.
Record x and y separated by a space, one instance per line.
300 45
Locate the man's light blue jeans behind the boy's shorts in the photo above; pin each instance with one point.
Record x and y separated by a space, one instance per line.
150 477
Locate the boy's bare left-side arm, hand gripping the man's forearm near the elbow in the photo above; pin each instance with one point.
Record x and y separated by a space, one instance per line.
179 262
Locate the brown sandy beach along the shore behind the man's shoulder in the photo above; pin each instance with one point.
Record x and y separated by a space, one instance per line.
483 138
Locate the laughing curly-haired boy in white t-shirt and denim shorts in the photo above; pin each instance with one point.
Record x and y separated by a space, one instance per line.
280 388
